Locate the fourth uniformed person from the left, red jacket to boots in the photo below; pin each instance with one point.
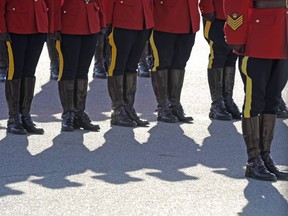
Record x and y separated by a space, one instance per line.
176 24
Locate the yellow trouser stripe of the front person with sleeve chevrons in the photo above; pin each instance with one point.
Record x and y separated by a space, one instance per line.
248 90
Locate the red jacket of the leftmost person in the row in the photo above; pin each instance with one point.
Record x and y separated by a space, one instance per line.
29 16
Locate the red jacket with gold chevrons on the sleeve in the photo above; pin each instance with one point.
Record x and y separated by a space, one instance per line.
263 31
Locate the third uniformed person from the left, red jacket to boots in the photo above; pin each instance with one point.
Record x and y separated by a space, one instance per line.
131 21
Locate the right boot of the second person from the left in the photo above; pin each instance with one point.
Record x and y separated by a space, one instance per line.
81 118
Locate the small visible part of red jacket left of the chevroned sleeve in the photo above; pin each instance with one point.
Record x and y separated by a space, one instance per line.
210 6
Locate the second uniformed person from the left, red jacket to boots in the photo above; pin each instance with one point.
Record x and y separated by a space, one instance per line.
82 21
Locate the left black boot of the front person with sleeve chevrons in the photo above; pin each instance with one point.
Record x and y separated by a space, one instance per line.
255 167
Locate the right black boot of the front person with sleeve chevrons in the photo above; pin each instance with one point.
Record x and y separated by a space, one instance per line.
267 126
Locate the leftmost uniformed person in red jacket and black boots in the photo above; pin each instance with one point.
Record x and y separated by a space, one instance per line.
24 24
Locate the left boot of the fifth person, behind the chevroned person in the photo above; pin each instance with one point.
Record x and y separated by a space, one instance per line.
218 110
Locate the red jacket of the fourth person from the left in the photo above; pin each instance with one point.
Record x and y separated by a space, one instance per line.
176 16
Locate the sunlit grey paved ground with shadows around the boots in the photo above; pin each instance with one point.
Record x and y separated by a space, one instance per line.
164 169
